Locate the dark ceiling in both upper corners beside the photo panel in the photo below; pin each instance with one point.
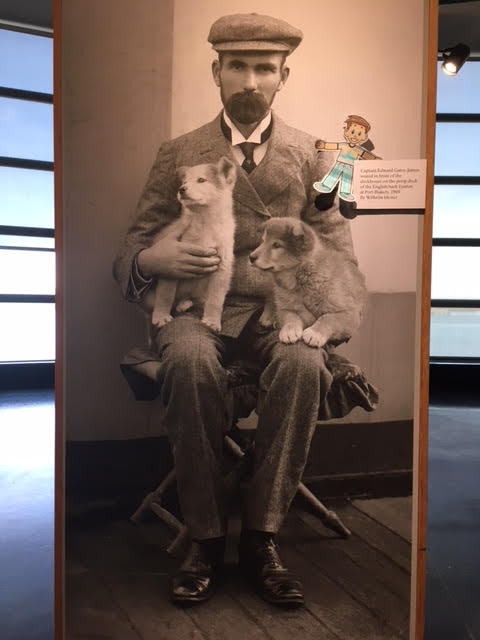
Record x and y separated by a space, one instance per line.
458 21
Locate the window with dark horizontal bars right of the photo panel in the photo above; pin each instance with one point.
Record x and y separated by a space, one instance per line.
455 321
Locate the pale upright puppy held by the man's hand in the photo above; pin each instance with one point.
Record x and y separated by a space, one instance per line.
206 219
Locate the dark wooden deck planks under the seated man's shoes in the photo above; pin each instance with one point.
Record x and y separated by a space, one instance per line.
118 583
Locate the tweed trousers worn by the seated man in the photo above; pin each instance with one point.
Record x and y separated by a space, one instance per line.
194 393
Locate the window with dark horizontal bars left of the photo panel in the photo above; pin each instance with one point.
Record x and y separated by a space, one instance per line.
27 259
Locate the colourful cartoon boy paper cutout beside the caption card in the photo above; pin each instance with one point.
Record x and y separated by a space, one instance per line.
356 134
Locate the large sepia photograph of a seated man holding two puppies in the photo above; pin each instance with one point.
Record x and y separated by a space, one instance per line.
241 337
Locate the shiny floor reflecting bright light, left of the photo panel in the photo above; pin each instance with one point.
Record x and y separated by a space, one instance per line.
26 515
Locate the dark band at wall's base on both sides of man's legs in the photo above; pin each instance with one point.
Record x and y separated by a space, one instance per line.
345 459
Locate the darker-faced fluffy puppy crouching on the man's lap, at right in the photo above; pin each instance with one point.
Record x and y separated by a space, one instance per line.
318 293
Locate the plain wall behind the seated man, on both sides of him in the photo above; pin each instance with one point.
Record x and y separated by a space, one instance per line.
135 74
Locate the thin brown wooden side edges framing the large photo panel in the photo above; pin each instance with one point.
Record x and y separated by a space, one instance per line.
59 532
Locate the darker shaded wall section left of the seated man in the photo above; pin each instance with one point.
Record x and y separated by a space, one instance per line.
116 78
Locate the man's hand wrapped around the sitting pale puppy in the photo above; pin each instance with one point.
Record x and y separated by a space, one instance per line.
169 257
